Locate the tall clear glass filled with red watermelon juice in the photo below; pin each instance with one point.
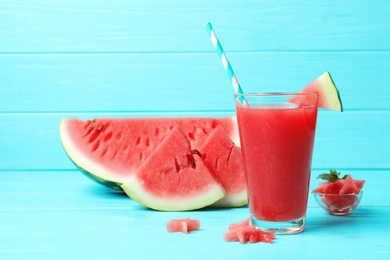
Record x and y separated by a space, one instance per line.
277 136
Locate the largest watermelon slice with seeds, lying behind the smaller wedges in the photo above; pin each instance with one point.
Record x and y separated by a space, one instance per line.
109 150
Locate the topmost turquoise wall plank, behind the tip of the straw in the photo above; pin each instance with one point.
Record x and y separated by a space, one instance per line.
171 26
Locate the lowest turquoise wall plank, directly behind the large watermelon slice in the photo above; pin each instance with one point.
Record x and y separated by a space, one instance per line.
353 139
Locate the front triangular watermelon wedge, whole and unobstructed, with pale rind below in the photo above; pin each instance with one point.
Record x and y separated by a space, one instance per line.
174 178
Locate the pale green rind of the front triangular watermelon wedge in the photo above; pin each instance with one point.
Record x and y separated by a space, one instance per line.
134 189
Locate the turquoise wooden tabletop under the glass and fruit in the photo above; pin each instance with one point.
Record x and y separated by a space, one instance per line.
57 216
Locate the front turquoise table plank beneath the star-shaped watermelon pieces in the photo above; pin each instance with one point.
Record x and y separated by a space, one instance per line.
94 234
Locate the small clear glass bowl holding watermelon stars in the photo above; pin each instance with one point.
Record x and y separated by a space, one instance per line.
338 204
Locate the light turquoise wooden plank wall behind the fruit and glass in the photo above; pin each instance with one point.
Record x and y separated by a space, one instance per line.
89 59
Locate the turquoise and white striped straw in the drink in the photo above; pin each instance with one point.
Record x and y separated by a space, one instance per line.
224 59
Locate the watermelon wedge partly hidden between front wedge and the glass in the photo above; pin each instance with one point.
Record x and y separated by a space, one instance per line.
224 159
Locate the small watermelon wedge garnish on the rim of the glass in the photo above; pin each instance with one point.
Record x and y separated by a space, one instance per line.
328 96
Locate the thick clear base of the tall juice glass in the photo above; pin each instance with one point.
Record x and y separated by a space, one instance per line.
280 227
